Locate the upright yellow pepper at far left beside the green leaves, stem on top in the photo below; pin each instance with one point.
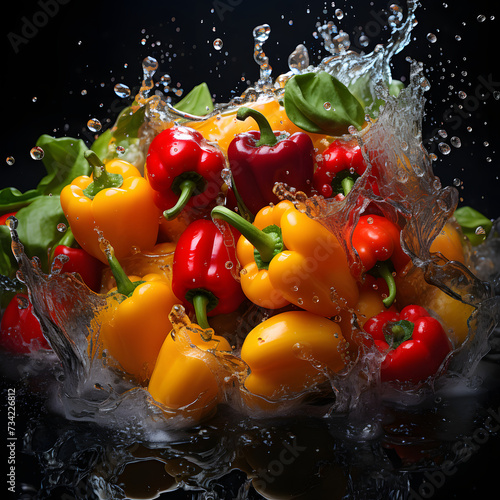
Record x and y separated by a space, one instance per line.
116 203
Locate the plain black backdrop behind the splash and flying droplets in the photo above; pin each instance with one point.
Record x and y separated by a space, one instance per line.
92 45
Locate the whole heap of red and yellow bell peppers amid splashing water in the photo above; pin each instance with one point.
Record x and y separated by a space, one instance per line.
244 285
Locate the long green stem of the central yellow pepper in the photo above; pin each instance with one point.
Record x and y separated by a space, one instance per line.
267 244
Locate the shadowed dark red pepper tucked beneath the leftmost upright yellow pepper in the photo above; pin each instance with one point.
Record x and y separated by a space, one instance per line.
79 261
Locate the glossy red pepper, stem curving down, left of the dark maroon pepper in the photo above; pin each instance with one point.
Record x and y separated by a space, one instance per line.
183 170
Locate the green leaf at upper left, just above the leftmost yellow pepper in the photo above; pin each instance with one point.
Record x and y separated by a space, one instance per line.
64 161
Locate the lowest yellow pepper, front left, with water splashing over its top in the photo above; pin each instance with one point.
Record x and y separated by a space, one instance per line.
184 379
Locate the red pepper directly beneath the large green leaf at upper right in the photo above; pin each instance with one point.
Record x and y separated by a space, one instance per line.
338 168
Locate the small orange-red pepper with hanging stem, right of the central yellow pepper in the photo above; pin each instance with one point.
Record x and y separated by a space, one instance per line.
377 242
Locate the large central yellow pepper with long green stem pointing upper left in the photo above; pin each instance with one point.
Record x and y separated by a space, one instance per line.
288 257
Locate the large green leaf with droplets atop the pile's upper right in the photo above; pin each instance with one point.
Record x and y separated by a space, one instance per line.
305 97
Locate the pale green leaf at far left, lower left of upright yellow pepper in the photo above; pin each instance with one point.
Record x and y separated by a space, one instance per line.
37 227
